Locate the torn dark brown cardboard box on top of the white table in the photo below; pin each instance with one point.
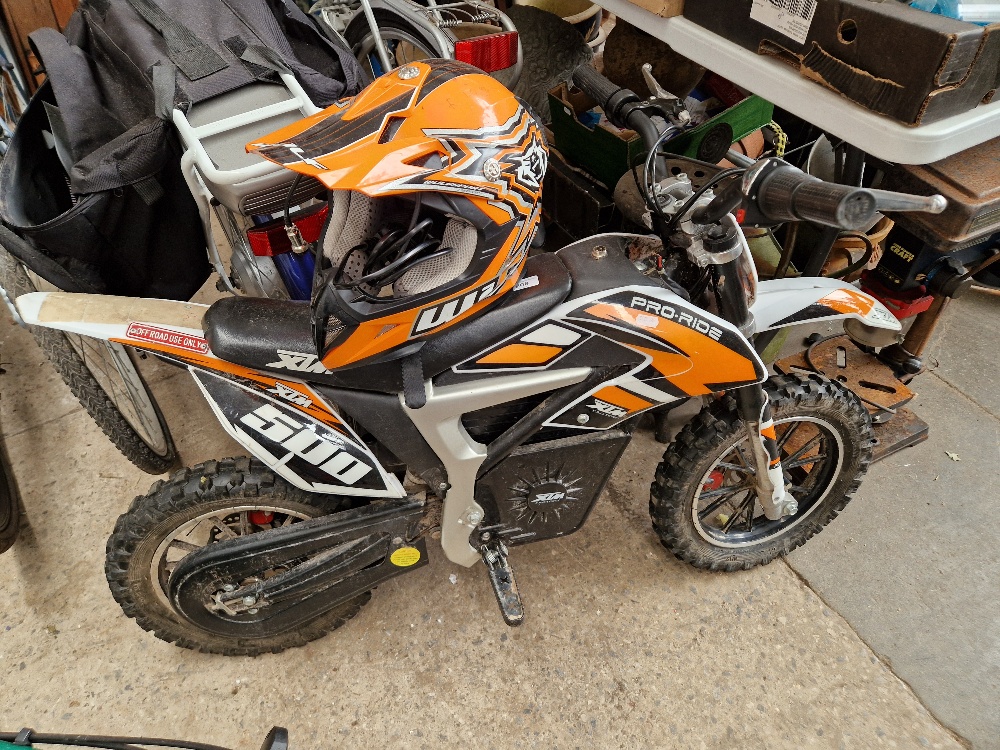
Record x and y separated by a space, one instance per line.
913 66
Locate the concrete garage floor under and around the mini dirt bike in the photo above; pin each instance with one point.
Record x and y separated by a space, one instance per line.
623 646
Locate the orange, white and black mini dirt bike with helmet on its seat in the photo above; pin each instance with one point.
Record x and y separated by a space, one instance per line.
441 383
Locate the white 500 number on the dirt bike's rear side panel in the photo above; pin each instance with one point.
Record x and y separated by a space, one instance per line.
303 441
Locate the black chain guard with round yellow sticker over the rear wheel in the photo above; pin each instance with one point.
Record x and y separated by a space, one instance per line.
230 588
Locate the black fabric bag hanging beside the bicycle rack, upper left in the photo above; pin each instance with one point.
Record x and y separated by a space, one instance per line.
91 181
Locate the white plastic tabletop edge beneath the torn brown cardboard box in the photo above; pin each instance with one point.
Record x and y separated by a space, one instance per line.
777 82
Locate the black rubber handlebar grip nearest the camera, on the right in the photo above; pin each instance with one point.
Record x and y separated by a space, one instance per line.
788 194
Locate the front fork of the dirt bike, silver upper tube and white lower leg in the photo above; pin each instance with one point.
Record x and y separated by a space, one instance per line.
754 409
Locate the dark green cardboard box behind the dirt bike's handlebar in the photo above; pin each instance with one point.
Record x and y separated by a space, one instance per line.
608 153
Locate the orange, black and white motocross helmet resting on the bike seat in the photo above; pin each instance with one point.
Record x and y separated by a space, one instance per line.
435 176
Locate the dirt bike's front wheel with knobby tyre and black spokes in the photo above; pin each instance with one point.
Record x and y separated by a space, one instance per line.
703 503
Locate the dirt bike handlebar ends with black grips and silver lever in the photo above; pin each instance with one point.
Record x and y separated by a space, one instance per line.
772 190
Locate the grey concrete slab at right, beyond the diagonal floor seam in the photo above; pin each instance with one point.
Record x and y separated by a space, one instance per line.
913 564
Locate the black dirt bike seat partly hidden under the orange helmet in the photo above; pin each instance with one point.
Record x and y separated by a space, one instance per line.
276 335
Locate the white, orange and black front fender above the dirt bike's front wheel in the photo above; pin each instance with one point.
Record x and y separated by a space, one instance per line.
788 302
